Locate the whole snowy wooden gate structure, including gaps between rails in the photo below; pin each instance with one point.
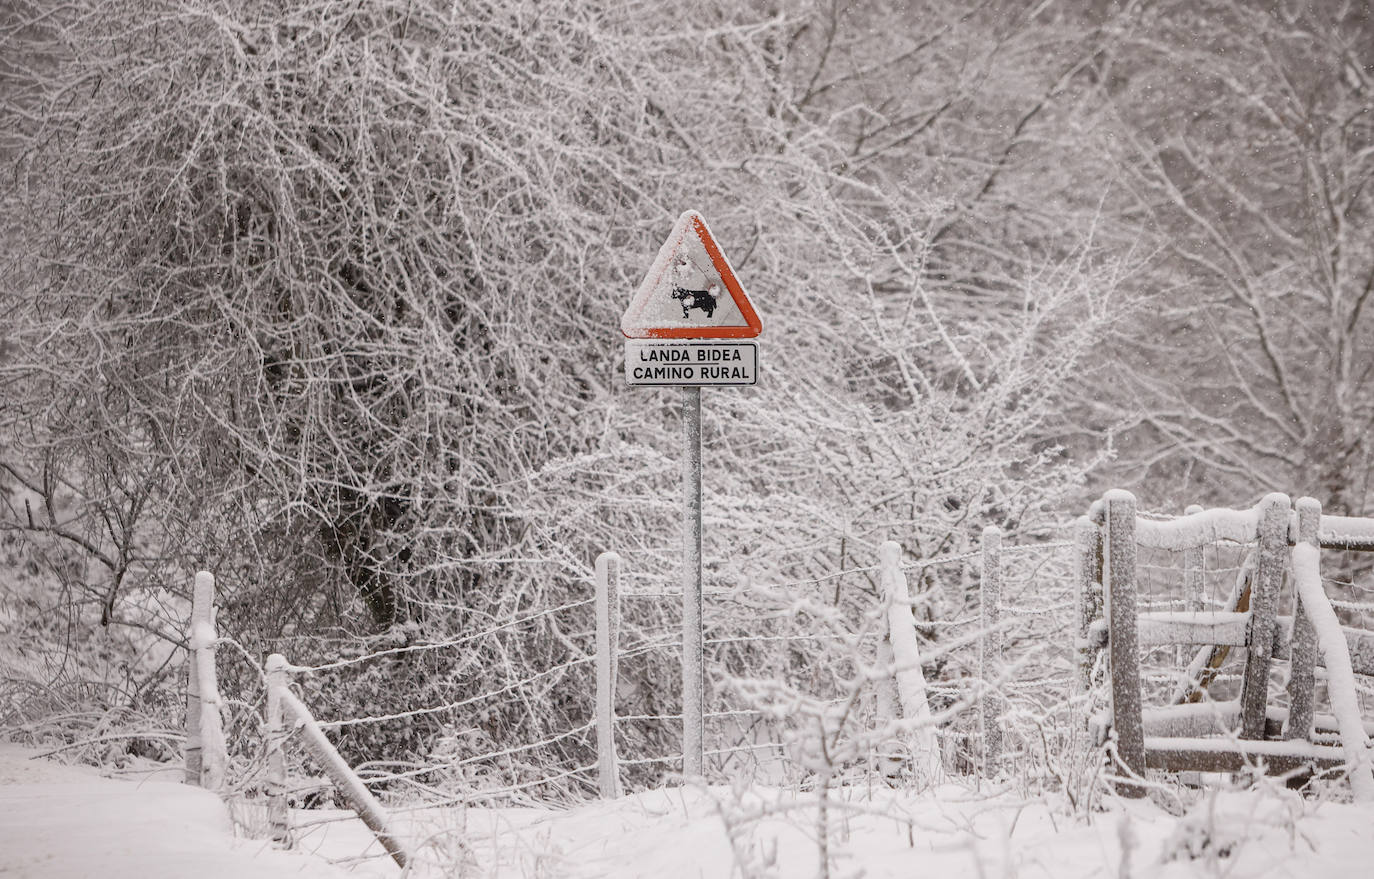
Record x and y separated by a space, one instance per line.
1186 598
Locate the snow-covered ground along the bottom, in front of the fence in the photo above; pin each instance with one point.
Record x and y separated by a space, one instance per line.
68 822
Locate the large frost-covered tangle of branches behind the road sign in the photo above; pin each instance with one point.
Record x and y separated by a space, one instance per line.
324 297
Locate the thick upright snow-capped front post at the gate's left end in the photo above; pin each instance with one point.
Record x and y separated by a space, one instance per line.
1123 637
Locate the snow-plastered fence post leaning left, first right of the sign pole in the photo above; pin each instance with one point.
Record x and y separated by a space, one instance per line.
906 661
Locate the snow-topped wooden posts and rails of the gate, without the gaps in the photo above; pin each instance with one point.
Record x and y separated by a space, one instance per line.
1178 737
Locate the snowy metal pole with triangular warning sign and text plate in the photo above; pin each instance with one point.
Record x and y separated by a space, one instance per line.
692 326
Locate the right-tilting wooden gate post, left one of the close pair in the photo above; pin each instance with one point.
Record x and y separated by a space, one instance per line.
1265 593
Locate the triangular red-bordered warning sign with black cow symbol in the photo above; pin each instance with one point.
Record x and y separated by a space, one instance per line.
690 292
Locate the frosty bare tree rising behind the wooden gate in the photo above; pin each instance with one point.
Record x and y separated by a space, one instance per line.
1247 148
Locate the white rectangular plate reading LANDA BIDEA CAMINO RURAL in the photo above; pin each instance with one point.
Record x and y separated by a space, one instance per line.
692 363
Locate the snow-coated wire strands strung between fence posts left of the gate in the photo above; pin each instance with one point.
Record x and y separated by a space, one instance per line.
506 715
